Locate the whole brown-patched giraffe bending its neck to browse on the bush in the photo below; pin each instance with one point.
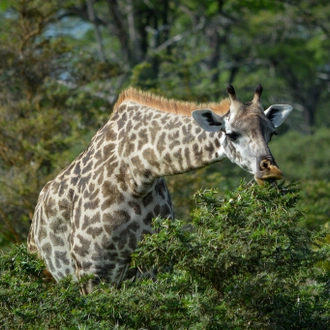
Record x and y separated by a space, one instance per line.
91 216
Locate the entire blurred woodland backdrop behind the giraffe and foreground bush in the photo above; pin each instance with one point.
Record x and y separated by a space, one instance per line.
63 63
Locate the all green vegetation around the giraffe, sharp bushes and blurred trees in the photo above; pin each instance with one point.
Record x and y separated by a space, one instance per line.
252 260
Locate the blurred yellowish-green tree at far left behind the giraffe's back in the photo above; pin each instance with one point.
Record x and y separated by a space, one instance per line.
41 115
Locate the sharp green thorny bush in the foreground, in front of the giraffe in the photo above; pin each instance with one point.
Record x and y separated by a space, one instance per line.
243 263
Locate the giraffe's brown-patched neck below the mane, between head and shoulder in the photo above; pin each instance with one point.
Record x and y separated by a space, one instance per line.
156 143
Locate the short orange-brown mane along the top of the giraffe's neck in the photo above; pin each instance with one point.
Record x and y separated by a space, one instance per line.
169 105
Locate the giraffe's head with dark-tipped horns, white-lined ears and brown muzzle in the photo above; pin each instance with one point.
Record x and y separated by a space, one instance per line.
245 131
